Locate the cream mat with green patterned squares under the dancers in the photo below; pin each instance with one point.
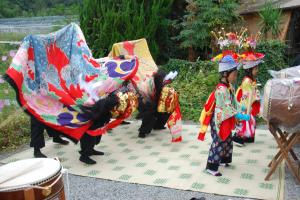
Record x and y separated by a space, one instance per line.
156 161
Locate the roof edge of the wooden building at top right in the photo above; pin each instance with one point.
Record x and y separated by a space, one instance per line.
251 6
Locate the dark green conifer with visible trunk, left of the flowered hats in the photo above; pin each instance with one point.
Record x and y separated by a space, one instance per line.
204 16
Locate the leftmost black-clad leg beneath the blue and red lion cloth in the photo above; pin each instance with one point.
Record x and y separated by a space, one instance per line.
37 137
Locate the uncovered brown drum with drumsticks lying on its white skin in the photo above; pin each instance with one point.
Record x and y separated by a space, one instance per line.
31 179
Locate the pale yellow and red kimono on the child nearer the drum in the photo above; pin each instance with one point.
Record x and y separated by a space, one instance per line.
248 96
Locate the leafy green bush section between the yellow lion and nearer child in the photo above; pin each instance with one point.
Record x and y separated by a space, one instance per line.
195 81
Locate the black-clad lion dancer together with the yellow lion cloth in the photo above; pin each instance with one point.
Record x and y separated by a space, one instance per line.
158 103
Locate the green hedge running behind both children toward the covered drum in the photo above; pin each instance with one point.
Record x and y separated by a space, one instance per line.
196 80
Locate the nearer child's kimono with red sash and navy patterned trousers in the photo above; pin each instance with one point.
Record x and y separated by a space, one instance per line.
222 123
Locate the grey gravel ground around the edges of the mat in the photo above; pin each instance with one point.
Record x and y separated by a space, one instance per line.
86 188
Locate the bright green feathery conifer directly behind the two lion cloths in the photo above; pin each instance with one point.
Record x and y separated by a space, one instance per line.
105 22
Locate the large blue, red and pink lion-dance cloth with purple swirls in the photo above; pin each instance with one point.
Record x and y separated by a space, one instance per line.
54 75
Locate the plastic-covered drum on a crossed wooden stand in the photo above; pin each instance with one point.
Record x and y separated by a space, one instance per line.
281 103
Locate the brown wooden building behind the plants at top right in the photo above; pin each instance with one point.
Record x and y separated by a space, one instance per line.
290 23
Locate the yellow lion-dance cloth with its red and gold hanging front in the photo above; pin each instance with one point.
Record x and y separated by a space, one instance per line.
144 83
